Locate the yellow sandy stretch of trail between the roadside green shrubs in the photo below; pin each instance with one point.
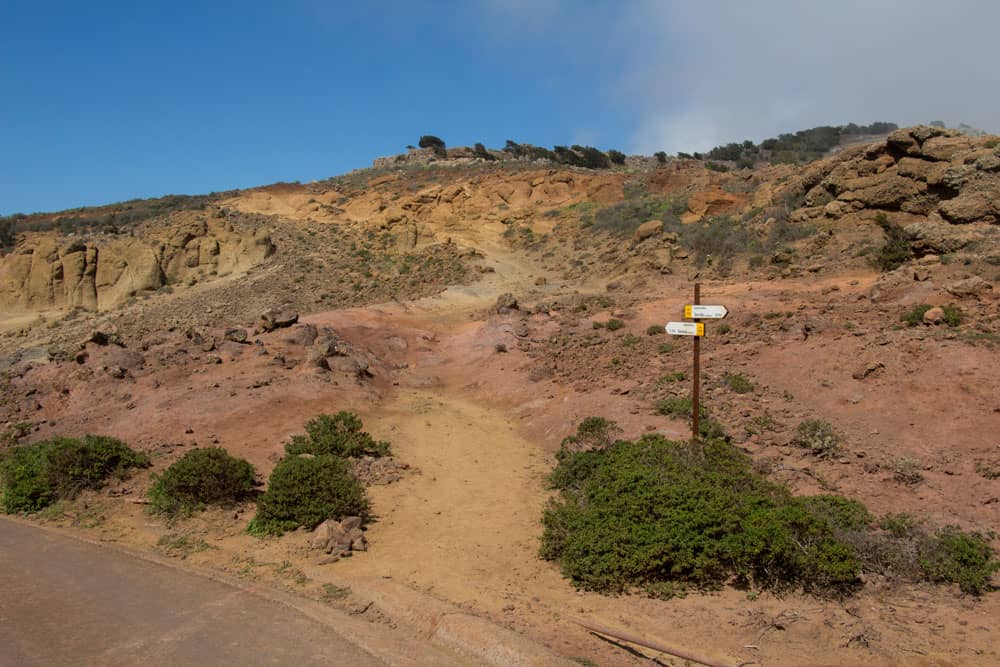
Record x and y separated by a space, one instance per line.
466 527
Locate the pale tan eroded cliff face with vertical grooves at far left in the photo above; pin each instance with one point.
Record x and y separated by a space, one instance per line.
48 271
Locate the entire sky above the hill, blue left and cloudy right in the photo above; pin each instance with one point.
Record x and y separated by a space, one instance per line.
106 101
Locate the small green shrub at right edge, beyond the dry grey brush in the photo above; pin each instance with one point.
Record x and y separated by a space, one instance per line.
961 558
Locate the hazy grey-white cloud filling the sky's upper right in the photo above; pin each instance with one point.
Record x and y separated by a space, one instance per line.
696 74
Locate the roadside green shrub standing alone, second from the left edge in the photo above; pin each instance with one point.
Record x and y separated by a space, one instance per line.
201 477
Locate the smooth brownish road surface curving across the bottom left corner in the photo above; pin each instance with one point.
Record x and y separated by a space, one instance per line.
64 602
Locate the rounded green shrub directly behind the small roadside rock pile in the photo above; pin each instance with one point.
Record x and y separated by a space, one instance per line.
305 491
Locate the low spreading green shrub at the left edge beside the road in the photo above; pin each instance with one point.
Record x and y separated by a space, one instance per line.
34 476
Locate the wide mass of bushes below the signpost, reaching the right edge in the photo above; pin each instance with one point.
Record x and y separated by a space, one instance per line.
658 516
